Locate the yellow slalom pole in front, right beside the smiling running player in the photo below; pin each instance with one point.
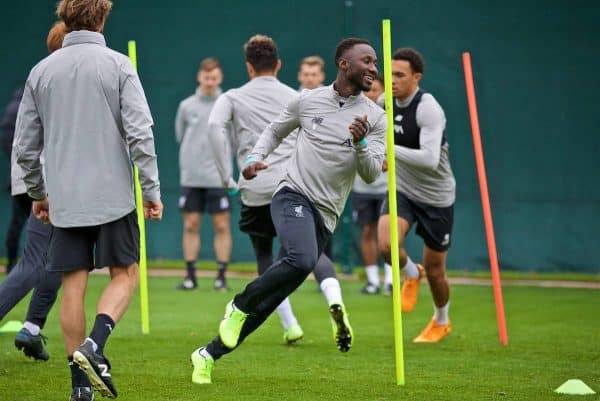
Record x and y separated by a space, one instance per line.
397 307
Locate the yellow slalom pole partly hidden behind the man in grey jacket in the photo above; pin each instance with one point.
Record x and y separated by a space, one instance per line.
141 223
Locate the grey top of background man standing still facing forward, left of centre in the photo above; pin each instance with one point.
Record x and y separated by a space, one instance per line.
197 164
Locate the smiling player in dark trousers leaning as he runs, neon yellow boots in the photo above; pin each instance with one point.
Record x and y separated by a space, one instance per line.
341 133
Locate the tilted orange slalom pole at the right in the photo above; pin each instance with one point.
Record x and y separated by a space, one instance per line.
485 198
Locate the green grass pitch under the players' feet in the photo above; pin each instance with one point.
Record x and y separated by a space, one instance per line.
554 335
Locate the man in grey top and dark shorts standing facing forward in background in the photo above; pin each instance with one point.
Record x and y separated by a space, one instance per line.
201 189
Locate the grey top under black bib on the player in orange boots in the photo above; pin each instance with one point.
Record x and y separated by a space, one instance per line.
425 174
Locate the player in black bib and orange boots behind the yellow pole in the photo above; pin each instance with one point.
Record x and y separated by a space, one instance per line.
426 189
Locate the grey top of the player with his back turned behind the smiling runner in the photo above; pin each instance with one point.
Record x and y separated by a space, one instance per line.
249 109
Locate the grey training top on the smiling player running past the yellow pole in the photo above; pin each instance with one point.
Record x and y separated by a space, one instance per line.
325 160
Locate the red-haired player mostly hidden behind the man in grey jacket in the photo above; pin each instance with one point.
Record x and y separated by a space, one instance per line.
31 271
